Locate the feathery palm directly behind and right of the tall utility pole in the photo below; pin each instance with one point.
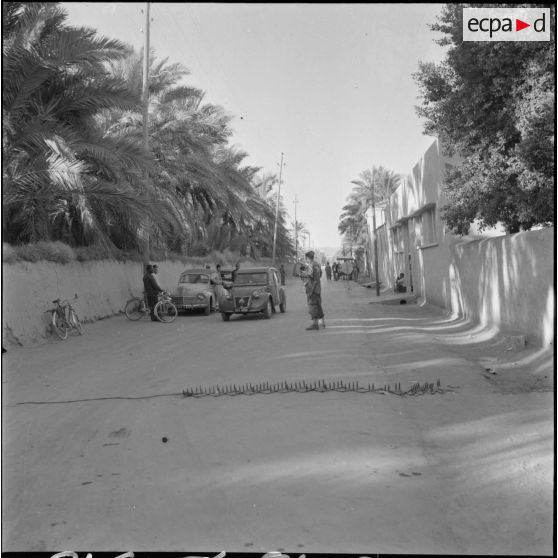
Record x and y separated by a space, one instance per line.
203 181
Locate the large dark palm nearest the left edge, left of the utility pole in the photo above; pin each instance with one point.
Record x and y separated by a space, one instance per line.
64 178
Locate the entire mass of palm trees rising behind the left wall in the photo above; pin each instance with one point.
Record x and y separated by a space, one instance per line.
74 167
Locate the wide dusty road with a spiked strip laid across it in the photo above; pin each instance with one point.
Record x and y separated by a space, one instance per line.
469 471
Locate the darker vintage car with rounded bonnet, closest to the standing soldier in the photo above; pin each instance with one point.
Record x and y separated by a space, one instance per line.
255 289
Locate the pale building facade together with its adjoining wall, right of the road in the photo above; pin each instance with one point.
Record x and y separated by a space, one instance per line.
493 279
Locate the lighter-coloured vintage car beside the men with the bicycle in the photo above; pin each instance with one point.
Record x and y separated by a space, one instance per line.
196 290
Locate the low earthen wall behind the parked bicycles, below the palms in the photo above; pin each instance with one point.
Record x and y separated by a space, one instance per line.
103 287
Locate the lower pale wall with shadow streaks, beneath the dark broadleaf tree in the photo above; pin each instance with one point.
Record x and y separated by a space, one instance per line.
506 282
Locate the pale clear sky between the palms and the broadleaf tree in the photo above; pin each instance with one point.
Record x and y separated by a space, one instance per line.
329 86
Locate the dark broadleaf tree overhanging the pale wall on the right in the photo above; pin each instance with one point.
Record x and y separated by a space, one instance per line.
492 104
